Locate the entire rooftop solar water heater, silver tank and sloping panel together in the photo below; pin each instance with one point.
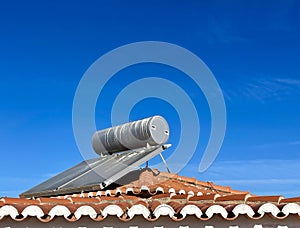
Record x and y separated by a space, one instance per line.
145 138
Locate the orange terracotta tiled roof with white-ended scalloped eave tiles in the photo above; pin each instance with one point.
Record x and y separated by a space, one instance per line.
152 194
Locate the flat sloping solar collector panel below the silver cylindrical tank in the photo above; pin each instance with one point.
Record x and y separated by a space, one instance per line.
94 174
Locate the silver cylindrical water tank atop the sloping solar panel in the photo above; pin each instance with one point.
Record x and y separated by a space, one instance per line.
151 131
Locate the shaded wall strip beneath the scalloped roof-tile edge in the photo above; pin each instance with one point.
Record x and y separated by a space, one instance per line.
165 222
